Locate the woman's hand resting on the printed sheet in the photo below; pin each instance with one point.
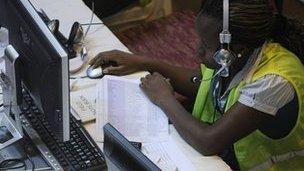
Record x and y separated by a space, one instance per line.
157 88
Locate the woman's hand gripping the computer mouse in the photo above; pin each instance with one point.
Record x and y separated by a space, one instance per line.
125 63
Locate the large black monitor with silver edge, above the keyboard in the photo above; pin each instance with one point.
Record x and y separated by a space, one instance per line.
43 64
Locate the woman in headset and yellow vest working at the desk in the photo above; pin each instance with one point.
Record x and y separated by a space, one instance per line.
254 118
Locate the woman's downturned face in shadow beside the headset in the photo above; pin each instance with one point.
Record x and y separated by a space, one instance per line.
208 30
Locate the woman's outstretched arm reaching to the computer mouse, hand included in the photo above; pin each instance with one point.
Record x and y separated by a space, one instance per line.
130 63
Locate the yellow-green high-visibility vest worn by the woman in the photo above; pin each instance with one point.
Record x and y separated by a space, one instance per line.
257 151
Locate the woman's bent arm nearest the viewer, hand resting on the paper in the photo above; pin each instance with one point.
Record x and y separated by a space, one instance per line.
235 124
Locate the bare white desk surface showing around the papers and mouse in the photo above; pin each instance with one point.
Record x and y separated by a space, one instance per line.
100 38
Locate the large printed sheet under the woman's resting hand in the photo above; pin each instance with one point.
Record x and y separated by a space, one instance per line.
122 103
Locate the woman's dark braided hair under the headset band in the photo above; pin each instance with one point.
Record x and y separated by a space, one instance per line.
254 21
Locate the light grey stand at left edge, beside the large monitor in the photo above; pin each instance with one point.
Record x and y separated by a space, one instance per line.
10 124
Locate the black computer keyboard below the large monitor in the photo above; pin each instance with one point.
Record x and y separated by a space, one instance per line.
80 153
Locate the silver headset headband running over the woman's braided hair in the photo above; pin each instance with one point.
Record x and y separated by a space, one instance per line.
225 36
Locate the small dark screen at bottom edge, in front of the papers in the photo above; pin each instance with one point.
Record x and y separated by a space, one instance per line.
120 154
